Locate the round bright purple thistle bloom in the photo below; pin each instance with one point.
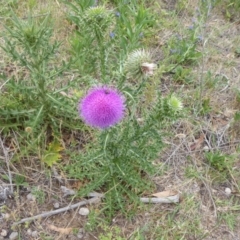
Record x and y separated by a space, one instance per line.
102 107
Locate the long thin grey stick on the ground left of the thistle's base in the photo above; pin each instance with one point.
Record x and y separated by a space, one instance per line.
60 210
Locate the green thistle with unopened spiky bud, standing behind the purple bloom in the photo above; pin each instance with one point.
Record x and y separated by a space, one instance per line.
88 43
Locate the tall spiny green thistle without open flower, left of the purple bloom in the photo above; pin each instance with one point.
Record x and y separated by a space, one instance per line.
35 99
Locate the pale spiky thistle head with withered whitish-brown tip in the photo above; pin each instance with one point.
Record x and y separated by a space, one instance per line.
138 64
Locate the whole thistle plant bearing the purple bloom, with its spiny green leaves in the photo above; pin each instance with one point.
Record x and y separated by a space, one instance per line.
119 161
